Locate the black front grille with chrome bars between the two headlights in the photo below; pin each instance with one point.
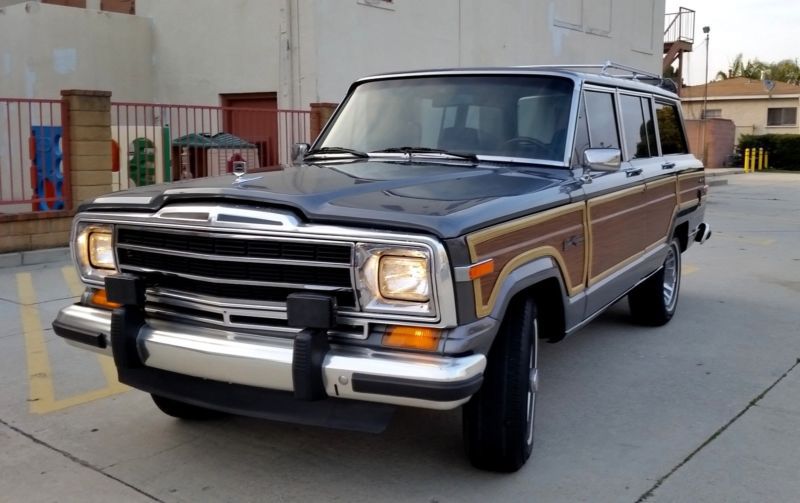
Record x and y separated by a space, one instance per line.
238 267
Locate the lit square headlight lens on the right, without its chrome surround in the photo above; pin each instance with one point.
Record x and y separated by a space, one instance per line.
404 278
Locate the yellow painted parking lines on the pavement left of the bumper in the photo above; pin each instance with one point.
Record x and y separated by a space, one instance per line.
41 394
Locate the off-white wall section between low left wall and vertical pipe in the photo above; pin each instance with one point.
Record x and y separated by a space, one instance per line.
204 48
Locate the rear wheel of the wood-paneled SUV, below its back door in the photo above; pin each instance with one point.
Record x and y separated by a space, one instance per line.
653 302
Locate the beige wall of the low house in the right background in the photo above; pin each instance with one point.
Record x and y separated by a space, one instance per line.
749 115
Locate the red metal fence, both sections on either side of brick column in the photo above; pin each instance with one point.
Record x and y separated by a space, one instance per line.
151 143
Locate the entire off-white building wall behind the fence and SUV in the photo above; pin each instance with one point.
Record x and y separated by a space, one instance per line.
190 52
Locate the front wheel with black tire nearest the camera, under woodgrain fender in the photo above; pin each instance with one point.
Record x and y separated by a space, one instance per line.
498 420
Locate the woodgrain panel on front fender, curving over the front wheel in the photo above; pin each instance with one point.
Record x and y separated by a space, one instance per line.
558 233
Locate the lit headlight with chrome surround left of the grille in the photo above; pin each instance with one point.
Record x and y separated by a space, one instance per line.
94 251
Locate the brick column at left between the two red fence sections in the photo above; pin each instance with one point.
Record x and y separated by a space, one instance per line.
88 135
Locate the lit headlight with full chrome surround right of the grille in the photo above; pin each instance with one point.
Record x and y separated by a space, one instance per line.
394 279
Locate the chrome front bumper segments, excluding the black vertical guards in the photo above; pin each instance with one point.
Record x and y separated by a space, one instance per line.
427 381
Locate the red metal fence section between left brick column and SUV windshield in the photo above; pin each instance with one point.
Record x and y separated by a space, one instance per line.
159 142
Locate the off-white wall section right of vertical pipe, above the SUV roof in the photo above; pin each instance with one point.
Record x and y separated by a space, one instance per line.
353 38
